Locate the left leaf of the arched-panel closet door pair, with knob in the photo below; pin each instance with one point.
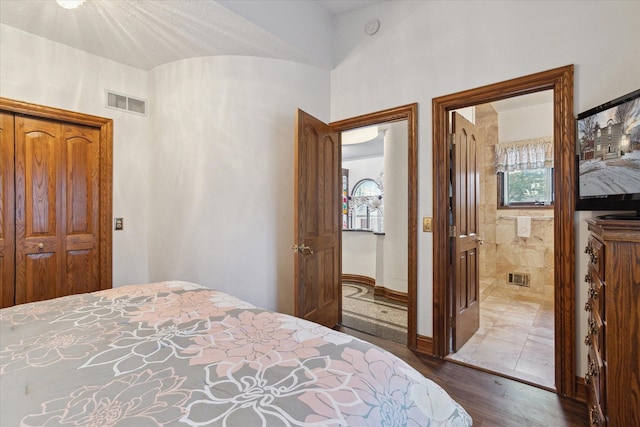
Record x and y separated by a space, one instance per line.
39 214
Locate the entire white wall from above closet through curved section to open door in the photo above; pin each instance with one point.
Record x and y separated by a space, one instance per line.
205 182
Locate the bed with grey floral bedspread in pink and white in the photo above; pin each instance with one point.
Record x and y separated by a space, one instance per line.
176 353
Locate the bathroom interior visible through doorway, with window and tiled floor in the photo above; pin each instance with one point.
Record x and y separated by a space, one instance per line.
515 332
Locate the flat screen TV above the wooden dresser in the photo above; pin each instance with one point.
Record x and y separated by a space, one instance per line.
608 159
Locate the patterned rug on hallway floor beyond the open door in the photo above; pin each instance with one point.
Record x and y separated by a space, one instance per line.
377 316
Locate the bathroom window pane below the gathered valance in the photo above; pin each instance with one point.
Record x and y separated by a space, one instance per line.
530 187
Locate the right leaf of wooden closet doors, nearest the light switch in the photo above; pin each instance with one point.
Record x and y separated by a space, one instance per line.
82 185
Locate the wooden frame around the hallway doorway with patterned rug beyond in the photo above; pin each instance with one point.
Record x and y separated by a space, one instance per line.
410 114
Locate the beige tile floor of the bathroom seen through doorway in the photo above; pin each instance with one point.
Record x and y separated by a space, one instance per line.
515 338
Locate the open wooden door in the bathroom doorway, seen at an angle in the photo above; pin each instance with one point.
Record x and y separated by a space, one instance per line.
465 201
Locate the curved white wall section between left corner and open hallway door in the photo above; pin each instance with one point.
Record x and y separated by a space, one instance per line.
221 155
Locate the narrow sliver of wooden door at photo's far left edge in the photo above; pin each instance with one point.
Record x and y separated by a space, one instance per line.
7 224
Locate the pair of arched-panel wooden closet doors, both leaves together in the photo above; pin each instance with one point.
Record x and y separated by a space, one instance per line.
57 209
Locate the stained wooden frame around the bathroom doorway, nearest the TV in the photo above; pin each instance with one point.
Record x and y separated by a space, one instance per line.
560 80
